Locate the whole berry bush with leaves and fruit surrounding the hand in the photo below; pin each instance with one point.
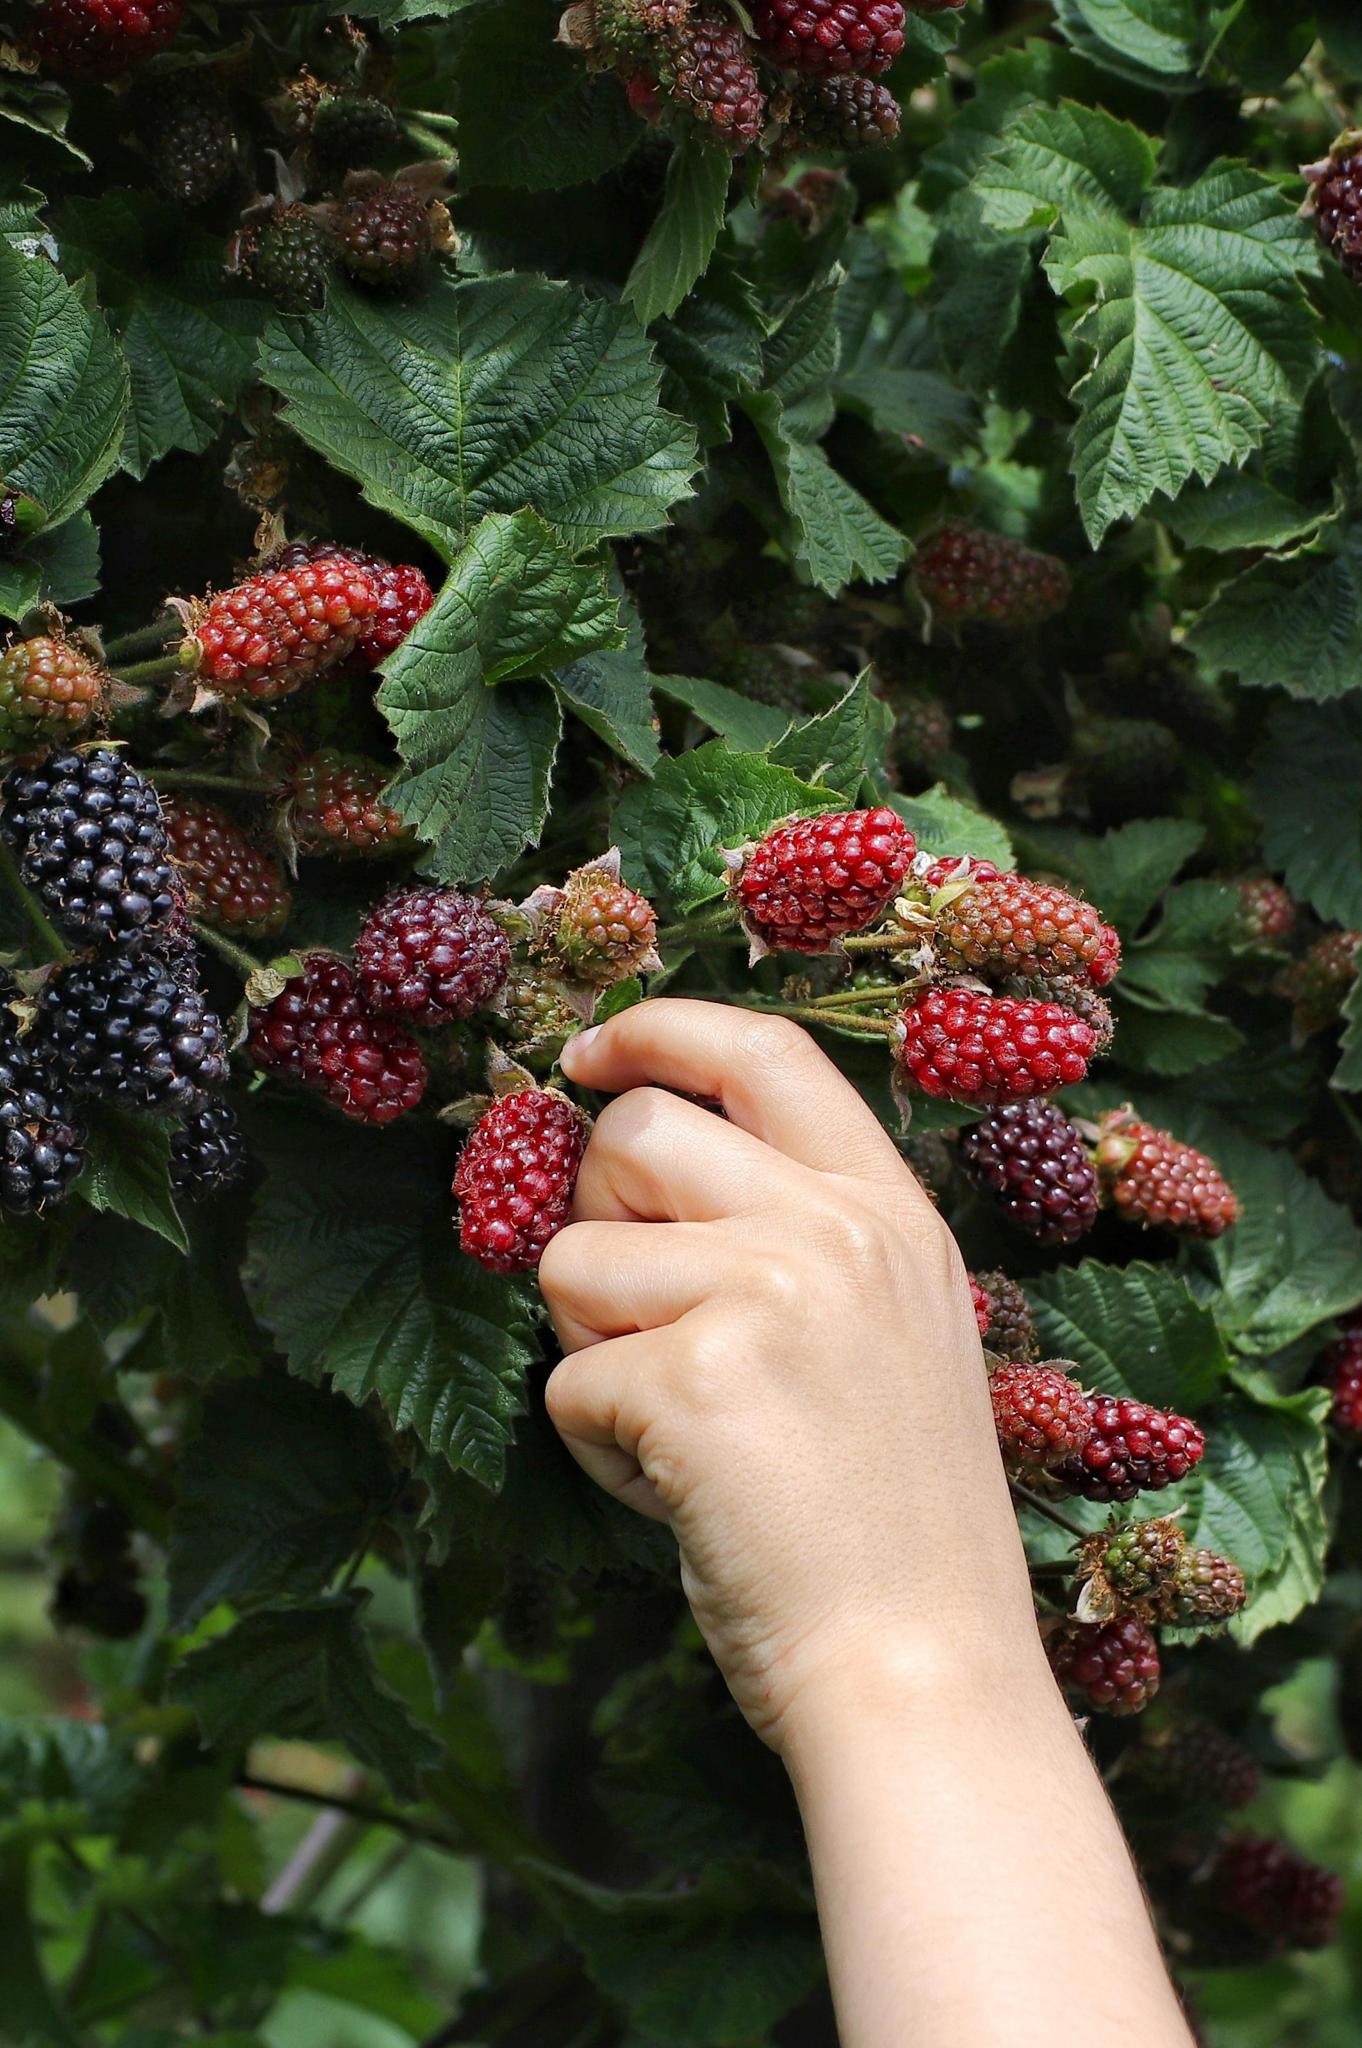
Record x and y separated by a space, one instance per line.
837 507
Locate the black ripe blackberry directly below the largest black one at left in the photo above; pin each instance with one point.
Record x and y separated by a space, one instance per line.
134 1033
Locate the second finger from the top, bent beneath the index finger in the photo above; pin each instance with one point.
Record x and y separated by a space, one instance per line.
661 1160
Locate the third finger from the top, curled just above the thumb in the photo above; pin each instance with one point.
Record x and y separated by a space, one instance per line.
611 1279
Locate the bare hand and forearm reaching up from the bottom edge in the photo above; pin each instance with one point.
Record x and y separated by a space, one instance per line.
771 1345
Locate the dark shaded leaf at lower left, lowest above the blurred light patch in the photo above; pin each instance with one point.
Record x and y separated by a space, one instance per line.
304 1672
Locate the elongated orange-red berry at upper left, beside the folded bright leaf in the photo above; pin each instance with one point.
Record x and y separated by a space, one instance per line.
282 630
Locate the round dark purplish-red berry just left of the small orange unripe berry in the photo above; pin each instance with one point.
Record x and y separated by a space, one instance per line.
431 955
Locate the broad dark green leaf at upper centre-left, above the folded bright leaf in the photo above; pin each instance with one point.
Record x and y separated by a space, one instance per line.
486 396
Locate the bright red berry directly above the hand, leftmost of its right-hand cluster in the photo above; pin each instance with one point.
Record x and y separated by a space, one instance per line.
816 880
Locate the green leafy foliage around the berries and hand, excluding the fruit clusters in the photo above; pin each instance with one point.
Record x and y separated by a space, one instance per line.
1074 304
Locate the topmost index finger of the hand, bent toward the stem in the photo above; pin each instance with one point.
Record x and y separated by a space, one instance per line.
771 1078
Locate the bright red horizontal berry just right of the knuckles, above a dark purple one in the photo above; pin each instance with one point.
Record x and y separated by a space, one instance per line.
992 1050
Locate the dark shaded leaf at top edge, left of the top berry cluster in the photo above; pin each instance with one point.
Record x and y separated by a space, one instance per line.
531 114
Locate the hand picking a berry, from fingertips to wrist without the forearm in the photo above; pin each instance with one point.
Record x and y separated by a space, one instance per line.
771 1345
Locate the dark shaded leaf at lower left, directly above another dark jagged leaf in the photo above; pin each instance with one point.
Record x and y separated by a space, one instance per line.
275 1494
